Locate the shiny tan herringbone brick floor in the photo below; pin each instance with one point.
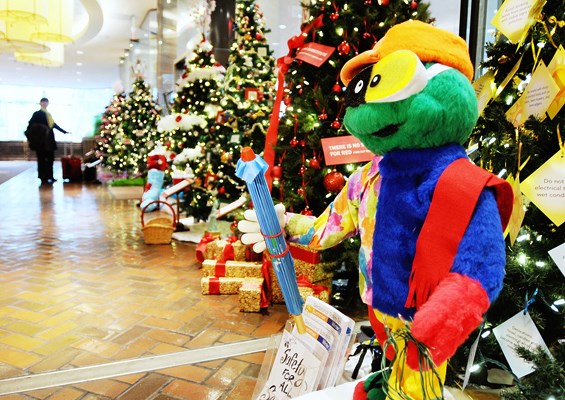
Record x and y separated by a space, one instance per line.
78 287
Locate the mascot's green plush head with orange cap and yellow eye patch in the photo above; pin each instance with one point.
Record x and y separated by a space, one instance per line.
412 90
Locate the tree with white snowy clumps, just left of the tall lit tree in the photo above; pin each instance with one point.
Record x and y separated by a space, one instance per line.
189 129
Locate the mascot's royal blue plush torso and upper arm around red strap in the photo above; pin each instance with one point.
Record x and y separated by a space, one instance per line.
409 178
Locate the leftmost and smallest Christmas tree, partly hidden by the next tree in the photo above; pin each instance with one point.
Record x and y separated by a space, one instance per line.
109 129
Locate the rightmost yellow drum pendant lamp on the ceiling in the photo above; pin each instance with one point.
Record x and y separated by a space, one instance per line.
59 26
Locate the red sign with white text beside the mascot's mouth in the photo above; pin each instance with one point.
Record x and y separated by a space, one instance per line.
345 150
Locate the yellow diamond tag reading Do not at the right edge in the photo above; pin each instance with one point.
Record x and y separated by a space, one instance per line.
546 188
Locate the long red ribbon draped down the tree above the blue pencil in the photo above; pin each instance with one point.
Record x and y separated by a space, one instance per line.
283 64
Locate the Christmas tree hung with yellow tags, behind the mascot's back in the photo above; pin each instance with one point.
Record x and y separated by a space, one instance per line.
520 137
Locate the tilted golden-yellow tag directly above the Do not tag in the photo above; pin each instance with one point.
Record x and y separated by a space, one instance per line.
537 97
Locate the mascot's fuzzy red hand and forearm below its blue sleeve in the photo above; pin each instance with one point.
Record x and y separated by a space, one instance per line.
446 320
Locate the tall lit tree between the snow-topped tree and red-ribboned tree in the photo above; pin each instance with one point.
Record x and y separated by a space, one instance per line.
246 103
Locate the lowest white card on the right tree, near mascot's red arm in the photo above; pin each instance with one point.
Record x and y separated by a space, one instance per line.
519 330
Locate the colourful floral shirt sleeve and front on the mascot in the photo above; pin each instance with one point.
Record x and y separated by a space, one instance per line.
351 213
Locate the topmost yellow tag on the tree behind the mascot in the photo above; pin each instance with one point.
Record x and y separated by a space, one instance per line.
514 17
